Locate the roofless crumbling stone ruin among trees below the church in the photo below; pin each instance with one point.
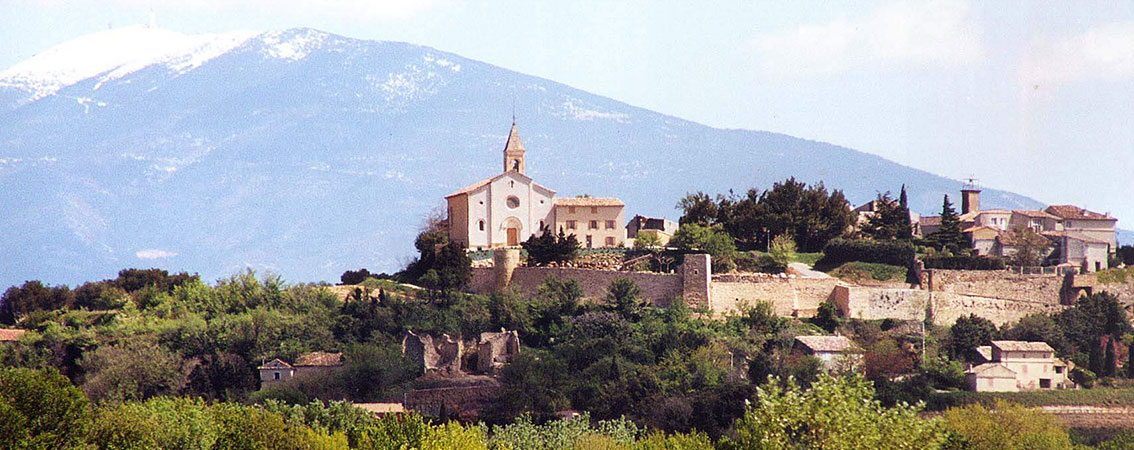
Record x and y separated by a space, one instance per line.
444 355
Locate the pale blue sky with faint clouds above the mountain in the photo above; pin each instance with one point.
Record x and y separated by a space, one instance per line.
1031 97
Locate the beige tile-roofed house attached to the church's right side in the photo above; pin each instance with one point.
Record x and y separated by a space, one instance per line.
596 223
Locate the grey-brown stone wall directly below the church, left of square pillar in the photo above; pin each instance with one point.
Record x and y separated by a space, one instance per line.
658 288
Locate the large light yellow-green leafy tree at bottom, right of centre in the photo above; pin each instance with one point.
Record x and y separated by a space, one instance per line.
836 413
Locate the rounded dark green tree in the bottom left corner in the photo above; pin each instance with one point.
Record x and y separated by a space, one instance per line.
41 410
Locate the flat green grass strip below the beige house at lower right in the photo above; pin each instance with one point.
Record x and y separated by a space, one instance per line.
1081 397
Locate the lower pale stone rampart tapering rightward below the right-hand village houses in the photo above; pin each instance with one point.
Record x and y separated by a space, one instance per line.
911 304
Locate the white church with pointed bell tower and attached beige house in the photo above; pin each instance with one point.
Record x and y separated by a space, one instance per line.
505 210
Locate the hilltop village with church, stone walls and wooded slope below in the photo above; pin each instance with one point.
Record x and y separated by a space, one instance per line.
560 322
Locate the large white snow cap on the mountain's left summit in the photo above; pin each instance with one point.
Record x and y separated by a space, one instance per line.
116 53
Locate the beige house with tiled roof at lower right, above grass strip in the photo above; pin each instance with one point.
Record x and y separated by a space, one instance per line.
1010 367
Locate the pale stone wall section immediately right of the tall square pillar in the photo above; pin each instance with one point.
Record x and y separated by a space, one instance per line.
789 296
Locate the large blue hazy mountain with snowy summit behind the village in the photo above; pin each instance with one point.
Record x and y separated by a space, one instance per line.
307 154
